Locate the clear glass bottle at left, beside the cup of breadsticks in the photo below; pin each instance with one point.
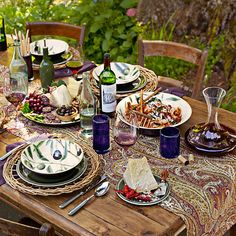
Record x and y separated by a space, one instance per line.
18 70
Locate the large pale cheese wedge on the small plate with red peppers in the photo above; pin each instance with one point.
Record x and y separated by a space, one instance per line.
138 175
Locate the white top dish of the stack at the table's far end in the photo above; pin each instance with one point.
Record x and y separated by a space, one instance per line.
55 47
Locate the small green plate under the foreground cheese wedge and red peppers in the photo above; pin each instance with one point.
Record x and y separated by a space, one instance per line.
154 201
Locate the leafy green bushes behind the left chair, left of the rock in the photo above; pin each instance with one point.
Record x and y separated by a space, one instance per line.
108 28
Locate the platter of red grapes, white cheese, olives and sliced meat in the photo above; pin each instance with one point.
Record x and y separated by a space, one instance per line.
57 106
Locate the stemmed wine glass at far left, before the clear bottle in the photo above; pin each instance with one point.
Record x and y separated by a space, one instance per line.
15 91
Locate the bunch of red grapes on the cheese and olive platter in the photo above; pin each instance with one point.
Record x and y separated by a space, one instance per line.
37 102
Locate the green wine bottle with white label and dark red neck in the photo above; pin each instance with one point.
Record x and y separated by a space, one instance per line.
107 88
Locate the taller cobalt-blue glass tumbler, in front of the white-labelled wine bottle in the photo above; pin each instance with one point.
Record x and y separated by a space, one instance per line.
101 134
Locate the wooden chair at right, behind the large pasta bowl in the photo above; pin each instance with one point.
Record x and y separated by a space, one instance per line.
179 51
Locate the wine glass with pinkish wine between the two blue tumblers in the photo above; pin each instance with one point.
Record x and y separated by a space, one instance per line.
125 133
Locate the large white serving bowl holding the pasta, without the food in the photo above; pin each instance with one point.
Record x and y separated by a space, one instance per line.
166 99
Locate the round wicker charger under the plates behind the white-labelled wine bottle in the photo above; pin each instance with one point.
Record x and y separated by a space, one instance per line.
150 76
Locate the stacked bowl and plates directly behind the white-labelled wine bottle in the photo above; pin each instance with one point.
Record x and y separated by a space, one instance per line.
127 77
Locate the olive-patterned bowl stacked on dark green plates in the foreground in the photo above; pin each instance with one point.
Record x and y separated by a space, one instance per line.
51 163
